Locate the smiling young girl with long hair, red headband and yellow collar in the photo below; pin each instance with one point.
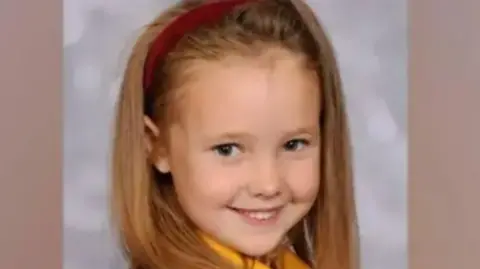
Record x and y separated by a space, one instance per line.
231 146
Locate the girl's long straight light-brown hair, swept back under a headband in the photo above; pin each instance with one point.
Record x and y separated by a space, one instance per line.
154 231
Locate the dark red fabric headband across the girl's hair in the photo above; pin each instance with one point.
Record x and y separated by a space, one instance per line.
167 39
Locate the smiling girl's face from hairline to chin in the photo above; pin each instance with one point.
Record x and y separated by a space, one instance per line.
244 154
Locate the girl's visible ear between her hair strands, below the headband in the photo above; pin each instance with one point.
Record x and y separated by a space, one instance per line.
158 156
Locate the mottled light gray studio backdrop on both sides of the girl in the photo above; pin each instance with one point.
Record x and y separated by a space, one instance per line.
371 42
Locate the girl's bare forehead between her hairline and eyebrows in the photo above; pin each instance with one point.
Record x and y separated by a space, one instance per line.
247 94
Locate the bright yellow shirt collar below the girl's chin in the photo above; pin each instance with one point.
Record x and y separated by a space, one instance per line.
291 260
